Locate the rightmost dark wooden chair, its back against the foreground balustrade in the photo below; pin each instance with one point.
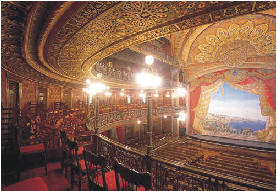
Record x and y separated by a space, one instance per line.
129 179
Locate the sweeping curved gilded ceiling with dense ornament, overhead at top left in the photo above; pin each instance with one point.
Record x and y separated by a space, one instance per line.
79 34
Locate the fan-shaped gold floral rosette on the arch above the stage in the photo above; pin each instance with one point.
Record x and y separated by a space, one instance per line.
235 44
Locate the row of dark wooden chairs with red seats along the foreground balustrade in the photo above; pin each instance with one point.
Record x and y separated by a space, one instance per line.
86 164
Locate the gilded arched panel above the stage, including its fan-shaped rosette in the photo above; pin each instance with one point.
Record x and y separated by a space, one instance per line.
242 42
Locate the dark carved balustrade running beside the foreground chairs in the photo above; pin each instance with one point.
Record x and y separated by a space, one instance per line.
168 175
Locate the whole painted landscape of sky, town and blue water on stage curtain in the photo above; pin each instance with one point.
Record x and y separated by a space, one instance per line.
234 113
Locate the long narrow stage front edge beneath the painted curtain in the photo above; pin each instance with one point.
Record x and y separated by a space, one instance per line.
236 142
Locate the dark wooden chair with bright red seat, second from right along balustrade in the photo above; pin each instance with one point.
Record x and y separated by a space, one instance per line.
98 179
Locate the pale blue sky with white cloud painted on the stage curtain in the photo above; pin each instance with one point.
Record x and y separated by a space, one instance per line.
236 103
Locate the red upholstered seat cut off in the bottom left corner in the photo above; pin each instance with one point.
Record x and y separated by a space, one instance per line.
32 184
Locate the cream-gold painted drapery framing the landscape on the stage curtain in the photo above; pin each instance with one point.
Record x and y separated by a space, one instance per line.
257 87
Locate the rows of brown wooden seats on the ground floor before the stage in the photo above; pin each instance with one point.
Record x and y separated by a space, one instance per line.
221 159
